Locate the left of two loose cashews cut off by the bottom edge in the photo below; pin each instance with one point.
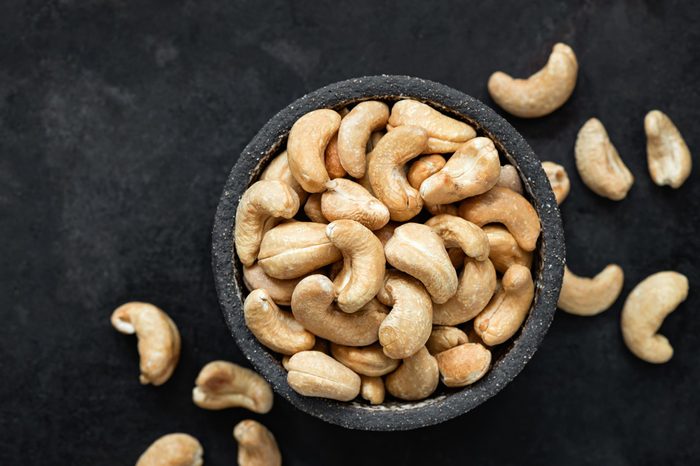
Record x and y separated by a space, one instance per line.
173 450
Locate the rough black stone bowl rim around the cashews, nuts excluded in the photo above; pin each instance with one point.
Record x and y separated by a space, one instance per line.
509 358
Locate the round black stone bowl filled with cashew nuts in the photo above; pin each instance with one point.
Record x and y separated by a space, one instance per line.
388 253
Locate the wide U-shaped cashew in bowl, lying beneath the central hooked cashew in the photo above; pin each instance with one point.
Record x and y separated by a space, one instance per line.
313 307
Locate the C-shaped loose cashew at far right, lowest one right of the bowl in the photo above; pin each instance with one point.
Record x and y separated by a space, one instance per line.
644 311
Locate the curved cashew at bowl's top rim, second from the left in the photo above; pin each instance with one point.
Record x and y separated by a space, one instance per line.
354 134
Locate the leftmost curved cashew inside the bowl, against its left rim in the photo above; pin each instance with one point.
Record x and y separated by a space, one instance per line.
258 210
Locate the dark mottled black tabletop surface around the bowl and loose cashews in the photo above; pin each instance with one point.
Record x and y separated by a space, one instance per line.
119 122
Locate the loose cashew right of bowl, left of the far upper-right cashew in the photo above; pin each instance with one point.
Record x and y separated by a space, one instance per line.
599 164
